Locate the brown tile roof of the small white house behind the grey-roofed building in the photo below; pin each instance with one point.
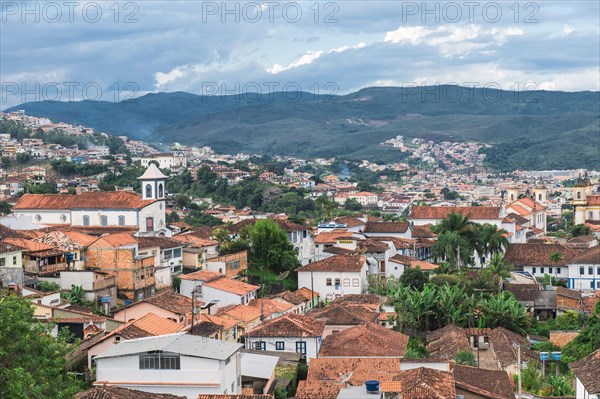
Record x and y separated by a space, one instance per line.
290 325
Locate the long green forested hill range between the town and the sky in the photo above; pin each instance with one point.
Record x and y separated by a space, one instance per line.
530 130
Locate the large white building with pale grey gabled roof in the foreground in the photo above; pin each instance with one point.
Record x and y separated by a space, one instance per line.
177 364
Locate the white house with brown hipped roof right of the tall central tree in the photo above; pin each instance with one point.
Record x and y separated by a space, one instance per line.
335 276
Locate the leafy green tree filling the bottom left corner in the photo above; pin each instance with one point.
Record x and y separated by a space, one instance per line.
32 362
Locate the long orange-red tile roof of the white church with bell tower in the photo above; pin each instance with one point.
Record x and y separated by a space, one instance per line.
85 200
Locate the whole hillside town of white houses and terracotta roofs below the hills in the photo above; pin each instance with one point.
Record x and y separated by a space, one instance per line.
134 270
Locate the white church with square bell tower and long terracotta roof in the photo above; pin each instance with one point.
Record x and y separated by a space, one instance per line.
144 213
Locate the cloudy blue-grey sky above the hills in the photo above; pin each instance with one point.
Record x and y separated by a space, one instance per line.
68 50
